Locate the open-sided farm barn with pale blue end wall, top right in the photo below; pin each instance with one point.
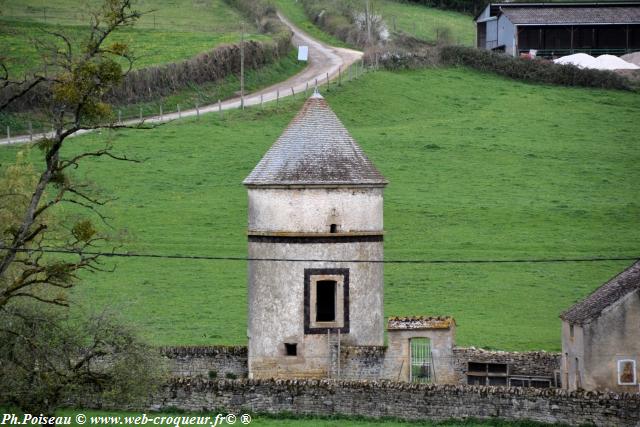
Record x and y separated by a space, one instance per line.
558 29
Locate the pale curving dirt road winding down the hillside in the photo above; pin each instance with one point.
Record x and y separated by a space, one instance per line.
323 61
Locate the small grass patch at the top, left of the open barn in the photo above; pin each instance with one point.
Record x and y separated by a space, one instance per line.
427 22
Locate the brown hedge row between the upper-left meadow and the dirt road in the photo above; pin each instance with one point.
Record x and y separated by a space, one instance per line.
152 82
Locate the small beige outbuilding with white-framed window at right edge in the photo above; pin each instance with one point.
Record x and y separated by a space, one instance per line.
601 337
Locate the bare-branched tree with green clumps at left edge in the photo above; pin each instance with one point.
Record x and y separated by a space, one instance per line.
74 87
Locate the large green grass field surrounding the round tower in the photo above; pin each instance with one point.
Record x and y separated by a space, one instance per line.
480 167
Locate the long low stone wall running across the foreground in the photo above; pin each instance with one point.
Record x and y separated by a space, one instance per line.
401 400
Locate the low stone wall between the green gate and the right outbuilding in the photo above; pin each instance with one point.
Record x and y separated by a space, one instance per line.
531 363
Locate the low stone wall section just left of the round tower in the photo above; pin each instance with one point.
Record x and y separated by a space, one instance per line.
204 361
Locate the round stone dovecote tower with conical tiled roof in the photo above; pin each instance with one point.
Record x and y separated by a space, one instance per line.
316 197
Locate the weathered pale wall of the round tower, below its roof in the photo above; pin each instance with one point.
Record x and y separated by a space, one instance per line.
295 224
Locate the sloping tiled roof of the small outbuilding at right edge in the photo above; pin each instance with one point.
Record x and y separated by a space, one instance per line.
607 294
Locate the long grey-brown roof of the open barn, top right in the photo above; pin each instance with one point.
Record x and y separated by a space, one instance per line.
551 15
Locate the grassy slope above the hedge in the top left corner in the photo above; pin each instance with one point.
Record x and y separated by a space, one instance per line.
169 31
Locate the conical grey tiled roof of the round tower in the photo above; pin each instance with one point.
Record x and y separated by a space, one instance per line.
315 149
